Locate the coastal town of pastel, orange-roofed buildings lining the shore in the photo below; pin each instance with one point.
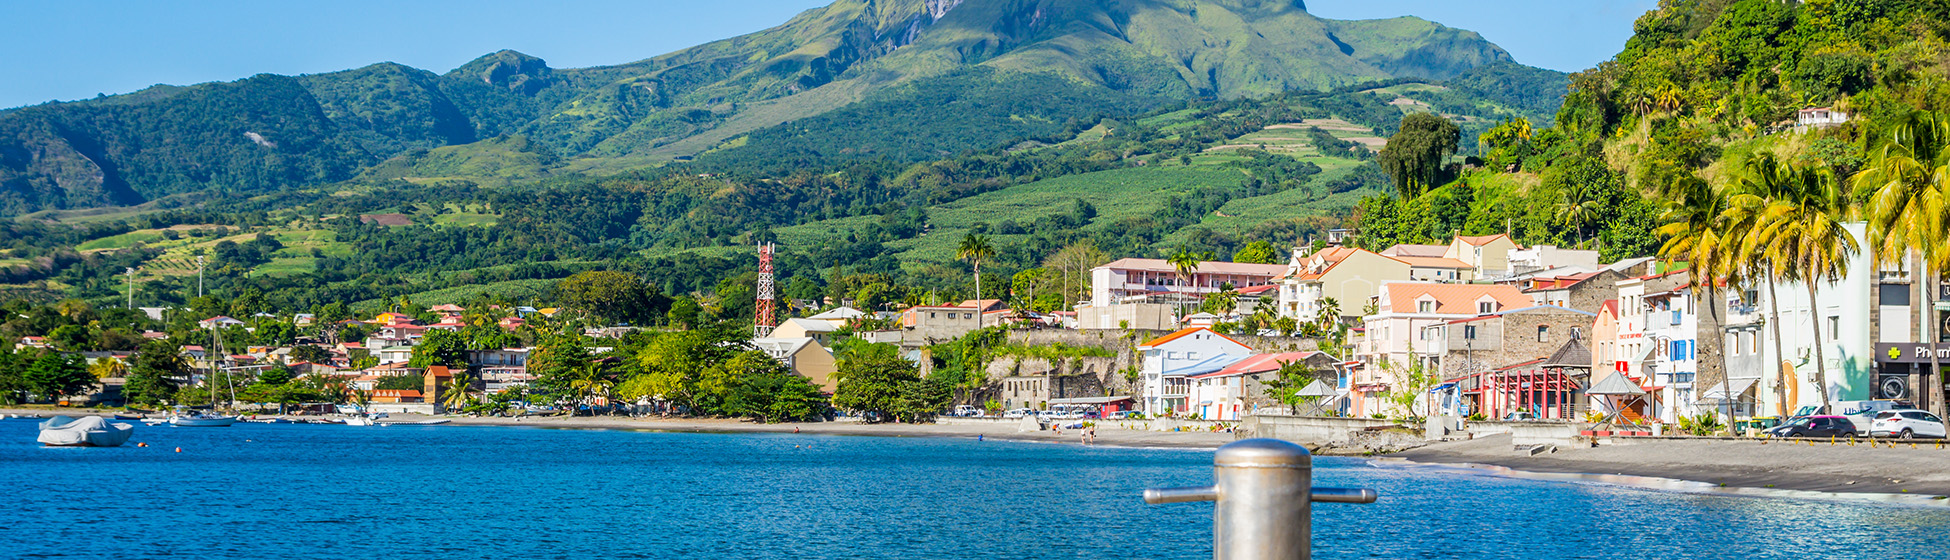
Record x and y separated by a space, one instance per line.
1481 329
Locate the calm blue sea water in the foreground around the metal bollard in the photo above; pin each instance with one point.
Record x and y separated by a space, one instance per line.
524 493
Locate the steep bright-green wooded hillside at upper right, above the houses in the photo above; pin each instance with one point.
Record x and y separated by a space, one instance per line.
1701 89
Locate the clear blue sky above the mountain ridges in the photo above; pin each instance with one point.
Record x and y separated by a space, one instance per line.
83 48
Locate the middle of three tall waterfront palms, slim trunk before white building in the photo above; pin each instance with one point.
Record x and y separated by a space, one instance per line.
1805 241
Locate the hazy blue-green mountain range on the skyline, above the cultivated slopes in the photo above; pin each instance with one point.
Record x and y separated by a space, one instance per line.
884 79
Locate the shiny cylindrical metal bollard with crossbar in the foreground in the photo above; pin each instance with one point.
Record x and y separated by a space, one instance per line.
1265 500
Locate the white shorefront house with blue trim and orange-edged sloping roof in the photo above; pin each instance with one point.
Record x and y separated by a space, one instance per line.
1171 362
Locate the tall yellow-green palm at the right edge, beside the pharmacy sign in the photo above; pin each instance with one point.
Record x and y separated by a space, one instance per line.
1904 190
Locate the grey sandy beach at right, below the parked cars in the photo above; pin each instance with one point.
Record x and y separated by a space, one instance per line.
1736 463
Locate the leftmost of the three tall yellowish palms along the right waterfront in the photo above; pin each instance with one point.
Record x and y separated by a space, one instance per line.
1701 231
